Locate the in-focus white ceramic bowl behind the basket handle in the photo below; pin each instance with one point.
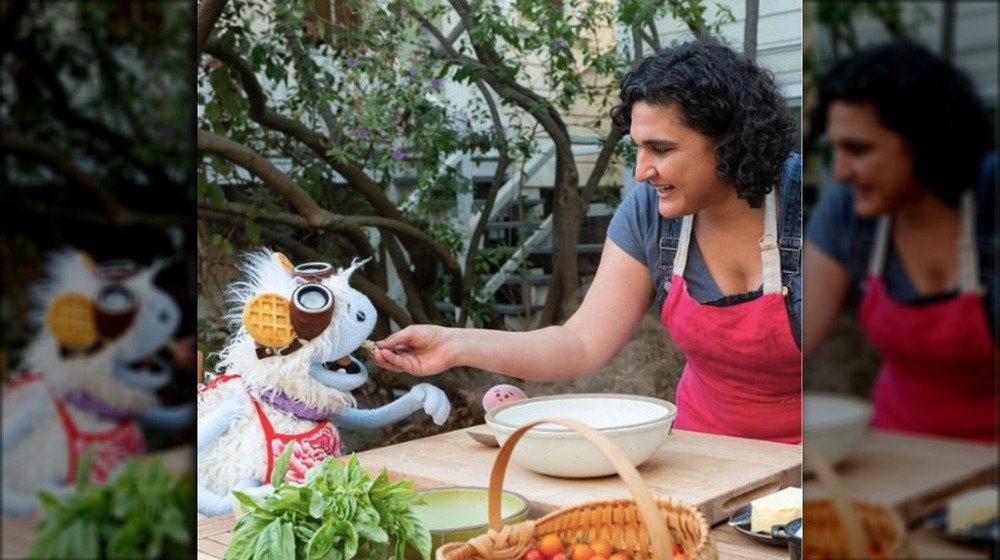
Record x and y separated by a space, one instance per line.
637 425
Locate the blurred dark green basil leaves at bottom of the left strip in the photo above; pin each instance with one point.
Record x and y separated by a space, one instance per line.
143 512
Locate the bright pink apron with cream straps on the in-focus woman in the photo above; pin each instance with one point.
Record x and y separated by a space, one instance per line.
743 375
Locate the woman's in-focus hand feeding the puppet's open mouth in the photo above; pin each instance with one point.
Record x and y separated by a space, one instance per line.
421 350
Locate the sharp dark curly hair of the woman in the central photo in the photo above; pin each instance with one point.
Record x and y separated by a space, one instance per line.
727 98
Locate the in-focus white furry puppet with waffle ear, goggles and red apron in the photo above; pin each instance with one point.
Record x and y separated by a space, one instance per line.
289 377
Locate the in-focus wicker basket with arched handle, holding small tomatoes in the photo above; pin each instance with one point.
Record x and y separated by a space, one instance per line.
625 523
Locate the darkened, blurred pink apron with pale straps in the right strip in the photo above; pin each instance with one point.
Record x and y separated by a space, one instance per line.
937 375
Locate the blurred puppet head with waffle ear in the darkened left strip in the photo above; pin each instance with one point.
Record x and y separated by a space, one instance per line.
99 320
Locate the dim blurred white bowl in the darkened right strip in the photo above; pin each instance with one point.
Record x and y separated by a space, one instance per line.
834 424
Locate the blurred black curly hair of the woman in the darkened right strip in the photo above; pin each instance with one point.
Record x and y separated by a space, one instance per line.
924 99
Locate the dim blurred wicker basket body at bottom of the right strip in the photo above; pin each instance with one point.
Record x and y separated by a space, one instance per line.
883 530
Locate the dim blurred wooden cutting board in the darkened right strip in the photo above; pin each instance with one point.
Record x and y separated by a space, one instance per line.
914 474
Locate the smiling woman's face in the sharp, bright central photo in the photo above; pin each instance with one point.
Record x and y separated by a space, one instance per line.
678 161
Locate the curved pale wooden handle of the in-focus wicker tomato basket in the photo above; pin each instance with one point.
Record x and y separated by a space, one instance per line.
648 509
